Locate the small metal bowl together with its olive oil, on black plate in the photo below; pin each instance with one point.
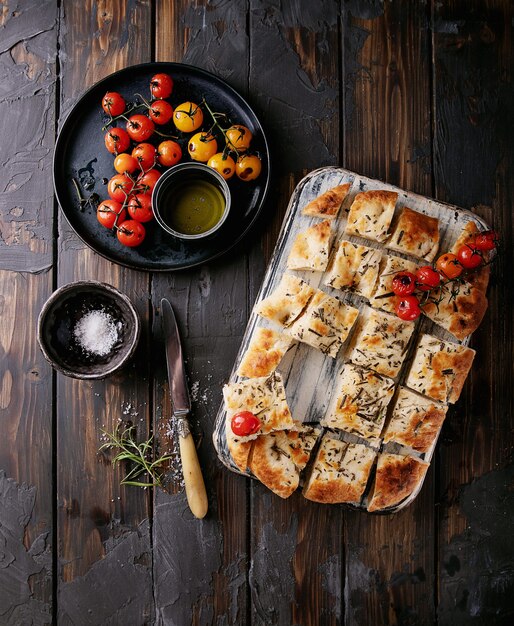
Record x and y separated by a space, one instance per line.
191 201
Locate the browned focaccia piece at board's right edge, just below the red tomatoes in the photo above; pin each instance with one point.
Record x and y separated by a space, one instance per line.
458 307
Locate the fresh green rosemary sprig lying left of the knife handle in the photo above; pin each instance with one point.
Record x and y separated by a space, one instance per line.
138 454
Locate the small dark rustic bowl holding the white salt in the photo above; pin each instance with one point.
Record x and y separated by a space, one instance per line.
57 330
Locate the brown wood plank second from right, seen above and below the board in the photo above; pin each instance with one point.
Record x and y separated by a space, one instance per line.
390 559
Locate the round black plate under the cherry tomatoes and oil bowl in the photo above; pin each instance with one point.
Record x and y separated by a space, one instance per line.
80 154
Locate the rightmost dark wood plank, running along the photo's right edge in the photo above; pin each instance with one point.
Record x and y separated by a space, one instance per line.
473 58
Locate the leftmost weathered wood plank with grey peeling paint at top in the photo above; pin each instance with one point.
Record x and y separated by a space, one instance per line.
27 92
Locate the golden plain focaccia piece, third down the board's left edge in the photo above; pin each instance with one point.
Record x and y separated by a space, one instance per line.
287 302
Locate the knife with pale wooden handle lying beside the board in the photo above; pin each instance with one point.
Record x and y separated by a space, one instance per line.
193 479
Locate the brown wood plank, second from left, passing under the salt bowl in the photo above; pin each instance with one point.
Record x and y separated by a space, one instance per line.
101 534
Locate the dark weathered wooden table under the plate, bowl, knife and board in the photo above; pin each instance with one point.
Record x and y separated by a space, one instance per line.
418 94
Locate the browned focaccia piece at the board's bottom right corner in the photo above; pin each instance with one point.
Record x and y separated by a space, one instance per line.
397 478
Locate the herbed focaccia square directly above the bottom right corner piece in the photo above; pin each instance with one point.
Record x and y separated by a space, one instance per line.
415 421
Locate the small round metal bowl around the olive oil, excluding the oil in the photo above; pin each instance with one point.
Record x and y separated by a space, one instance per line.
177 178
